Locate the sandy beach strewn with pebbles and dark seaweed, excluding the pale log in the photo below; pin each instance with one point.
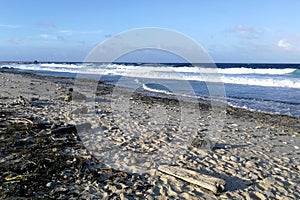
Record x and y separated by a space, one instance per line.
49 151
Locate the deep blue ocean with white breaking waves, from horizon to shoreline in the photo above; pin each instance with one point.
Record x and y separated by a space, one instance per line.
269 88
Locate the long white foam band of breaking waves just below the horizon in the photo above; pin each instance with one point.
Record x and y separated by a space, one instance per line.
271 77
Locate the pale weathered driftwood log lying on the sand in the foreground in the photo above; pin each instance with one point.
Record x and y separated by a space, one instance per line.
216 185
